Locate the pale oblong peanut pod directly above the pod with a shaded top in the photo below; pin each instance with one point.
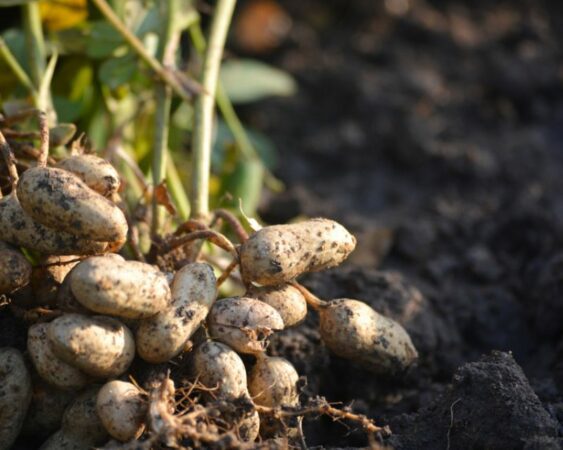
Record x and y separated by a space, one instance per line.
129 289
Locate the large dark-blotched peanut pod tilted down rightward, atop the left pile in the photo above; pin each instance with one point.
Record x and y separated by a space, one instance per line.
60 200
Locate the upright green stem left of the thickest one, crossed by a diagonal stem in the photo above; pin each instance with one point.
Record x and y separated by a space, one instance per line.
168 40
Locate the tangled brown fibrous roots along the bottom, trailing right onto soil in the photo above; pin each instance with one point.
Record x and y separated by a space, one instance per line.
178 419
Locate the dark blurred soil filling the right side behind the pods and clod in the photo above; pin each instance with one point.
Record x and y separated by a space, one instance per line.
436 137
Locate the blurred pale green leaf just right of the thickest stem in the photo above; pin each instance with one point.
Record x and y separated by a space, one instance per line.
247 80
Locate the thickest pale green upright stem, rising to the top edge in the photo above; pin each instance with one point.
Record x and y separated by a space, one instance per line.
204 108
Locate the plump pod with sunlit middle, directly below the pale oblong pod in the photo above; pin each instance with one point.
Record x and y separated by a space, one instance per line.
99 346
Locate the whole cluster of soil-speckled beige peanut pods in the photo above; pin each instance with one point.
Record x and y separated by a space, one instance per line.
72 384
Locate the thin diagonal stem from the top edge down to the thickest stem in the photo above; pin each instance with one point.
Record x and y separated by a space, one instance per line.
134 42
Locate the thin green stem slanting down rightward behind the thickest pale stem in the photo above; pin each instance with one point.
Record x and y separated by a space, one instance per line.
231 118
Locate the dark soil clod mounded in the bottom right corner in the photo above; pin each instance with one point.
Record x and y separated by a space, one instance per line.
489 405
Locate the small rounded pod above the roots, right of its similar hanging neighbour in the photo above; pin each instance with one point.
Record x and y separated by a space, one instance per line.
273 382
